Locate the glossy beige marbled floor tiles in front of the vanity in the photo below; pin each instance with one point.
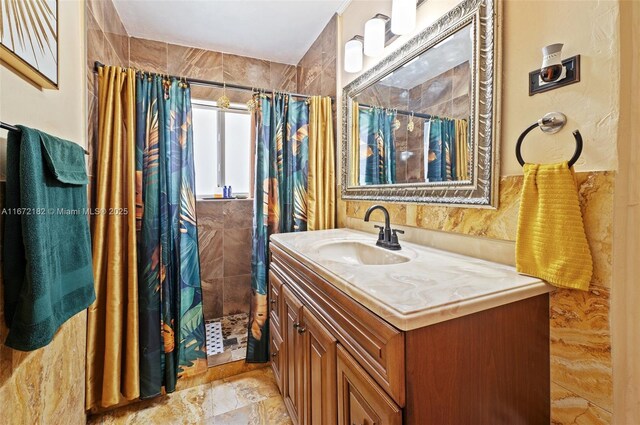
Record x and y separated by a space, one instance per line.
246 399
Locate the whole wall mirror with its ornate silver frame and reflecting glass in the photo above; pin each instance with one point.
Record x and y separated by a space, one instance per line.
422 125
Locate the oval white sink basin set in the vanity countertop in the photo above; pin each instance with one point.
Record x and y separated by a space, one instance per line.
352 252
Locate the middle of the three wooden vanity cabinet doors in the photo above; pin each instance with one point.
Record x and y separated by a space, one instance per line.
320 396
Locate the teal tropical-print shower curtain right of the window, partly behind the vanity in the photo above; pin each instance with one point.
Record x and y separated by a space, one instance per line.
280 201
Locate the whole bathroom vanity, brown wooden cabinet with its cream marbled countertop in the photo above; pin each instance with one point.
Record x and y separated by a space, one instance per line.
361 335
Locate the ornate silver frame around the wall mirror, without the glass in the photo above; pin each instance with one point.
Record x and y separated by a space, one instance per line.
482 189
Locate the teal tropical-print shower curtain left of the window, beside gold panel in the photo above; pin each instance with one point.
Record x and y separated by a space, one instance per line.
172 333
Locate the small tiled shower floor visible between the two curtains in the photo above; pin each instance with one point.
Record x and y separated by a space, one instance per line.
234 339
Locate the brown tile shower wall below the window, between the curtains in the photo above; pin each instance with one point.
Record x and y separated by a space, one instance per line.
224 233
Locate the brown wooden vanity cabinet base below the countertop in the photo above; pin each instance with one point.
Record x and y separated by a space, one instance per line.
338 363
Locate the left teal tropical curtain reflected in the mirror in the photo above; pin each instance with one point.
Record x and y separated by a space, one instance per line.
377 131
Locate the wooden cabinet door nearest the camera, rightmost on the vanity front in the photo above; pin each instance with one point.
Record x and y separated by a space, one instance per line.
361 401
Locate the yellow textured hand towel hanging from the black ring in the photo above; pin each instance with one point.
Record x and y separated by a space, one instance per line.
551 243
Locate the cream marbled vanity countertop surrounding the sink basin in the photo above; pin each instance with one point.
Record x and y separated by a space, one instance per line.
432 287
